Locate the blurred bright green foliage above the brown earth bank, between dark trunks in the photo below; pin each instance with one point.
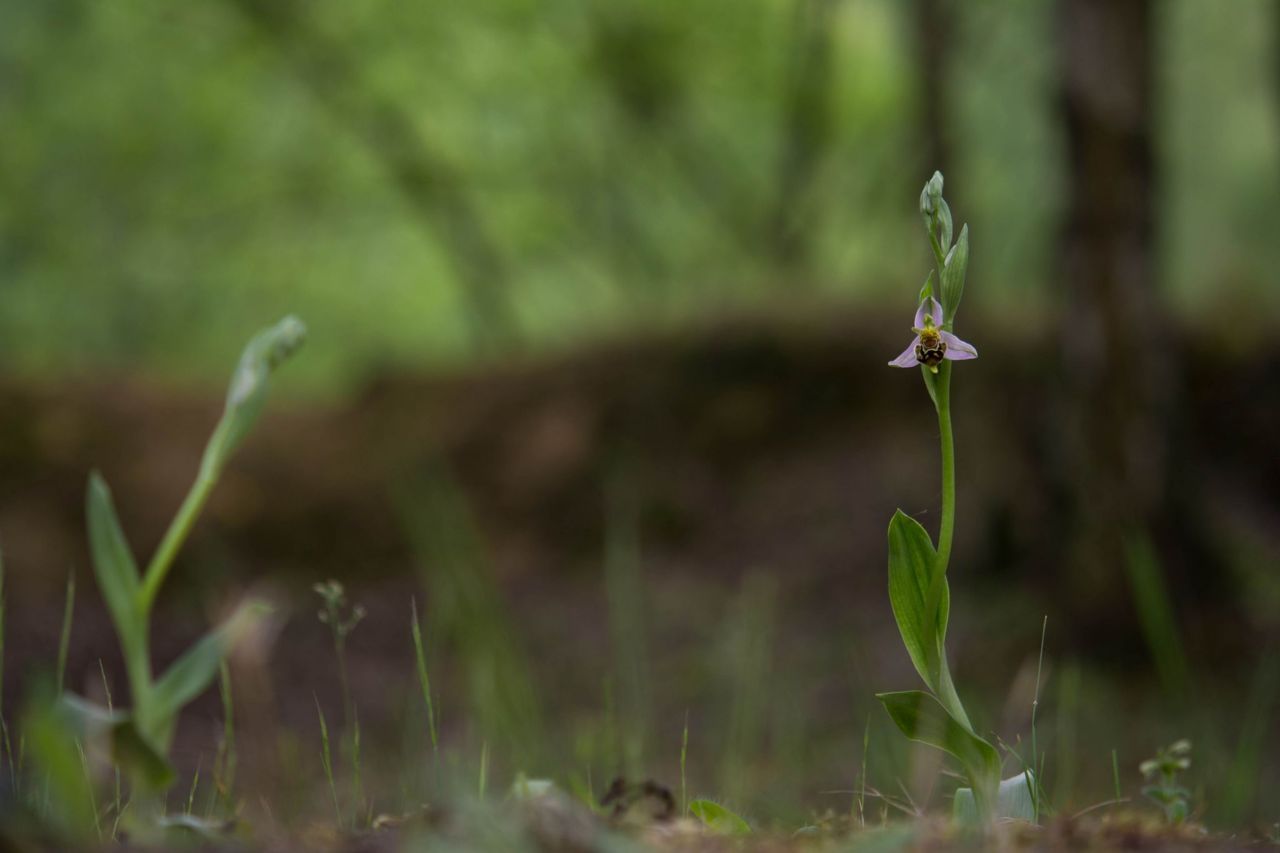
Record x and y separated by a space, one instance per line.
176 175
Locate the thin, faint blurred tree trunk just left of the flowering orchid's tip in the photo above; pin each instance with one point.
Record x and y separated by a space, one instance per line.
806 131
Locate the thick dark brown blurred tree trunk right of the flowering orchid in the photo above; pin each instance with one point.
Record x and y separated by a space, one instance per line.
1118 366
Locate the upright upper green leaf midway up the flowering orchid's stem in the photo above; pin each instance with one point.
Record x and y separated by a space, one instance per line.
912 563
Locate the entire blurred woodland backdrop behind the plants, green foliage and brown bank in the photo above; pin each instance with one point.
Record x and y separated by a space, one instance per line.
519 232
